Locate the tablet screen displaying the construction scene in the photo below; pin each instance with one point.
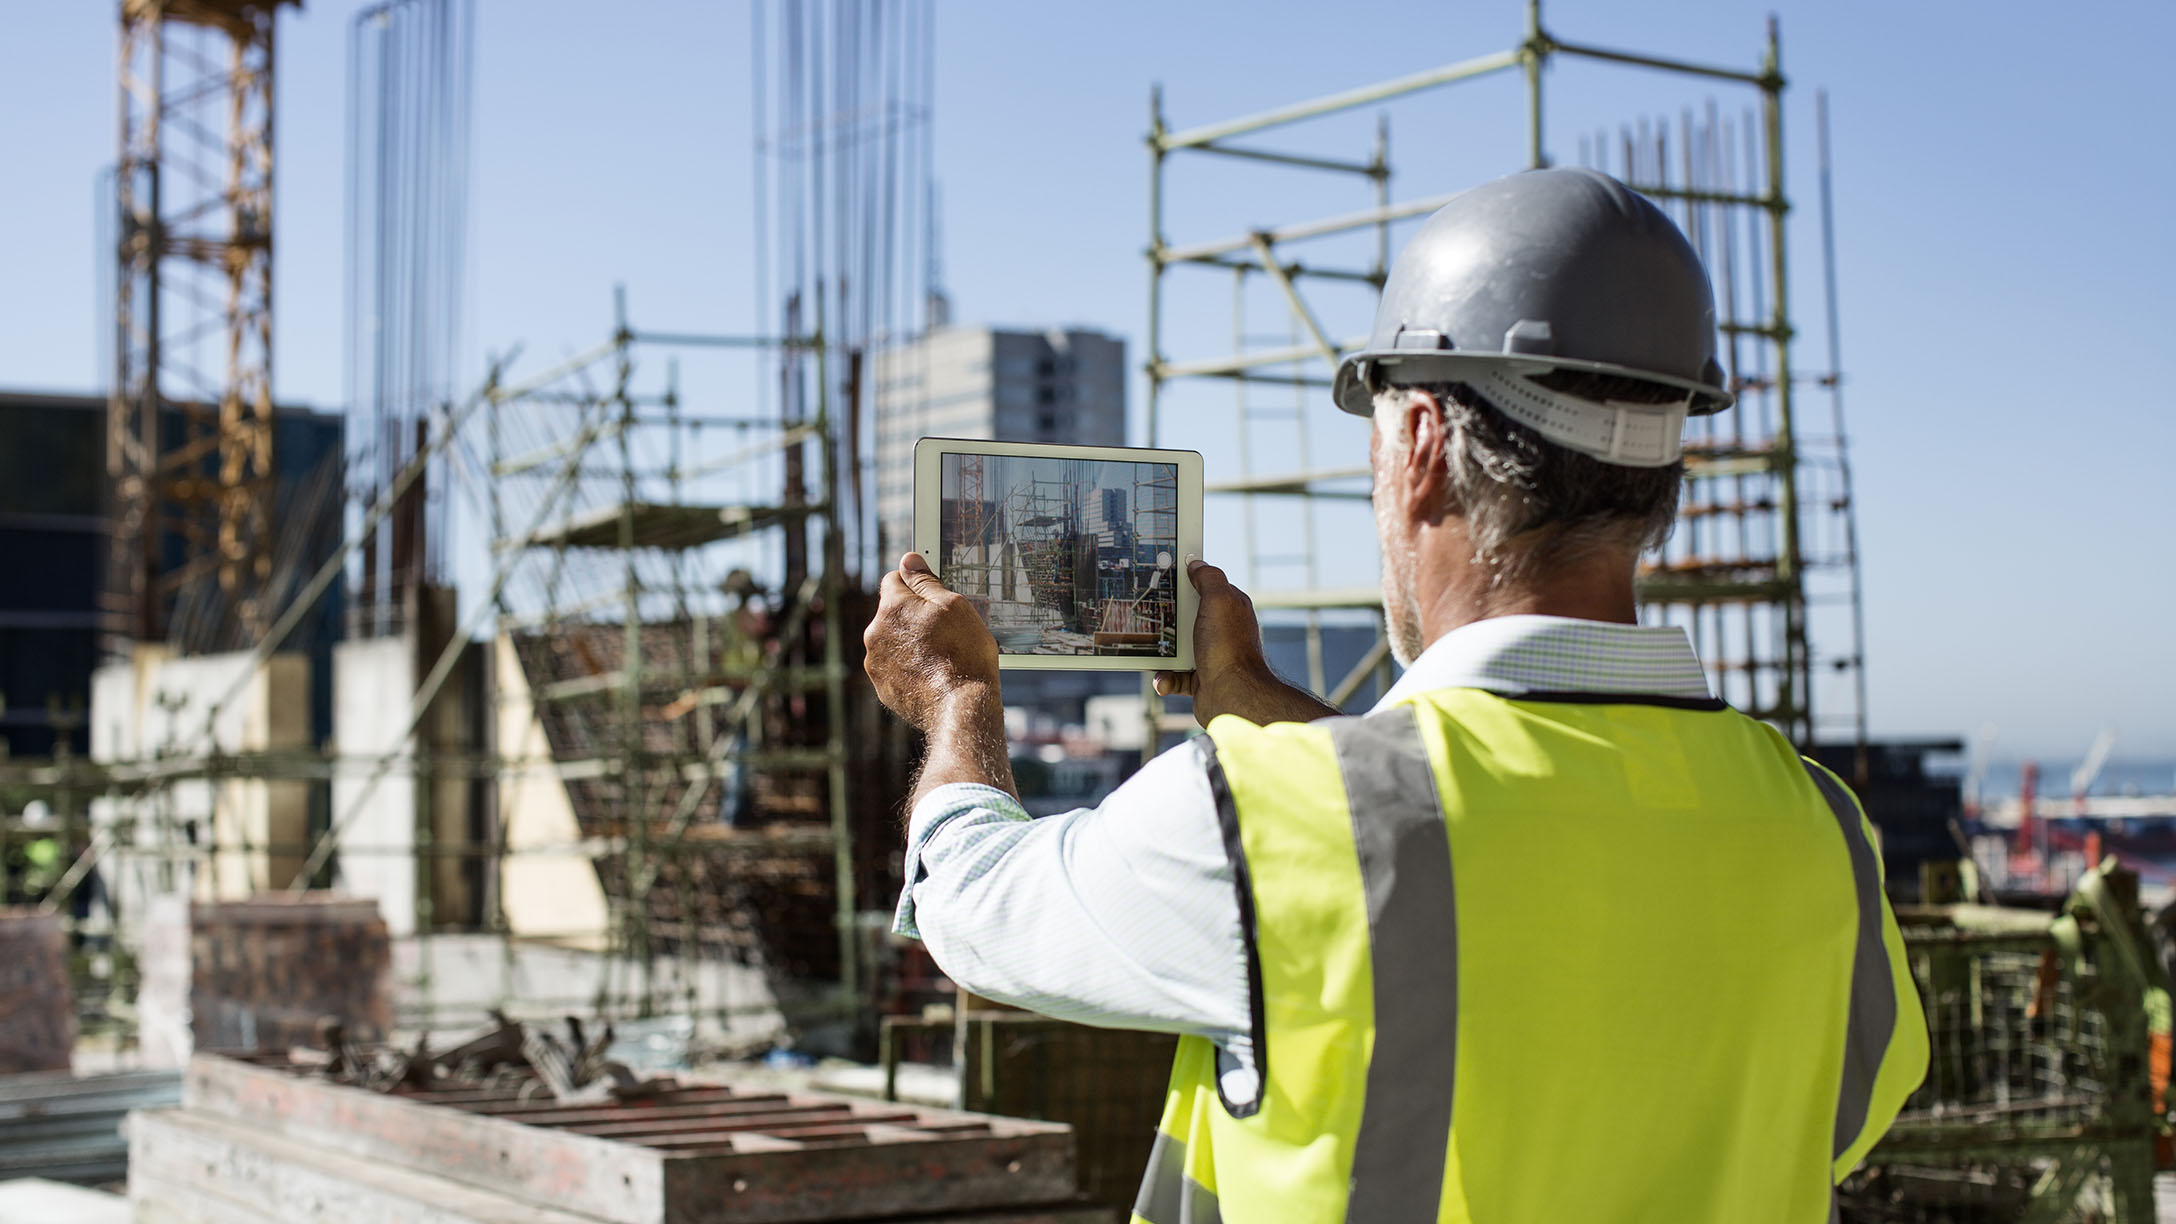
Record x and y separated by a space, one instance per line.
1065 556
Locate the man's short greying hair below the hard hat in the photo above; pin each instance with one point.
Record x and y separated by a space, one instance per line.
1529 502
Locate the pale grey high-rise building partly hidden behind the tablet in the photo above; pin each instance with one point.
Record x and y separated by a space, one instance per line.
985 382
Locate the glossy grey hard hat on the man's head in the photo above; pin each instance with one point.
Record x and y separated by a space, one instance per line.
1544 271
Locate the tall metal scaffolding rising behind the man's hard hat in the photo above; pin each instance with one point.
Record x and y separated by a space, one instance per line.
1766 522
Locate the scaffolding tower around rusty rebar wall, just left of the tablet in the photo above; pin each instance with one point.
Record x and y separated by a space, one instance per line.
700 720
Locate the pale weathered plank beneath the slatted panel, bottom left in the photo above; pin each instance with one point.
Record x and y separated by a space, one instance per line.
223 1171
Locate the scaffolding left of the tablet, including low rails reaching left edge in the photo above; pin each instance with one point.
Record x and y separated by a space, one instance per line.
695 720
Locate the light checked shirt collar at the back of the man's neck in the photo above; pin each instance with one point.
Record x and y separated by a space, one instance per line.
1557 654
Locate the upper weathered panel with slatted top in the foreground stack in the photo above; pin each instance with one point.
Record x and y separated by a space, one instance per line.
682 1155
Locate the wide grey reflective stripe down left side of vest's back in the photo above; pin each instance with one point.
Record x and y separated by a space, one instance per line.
1413 948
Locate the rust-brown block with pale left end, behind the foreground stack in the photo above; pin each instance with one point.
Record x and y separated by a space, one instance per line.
262 975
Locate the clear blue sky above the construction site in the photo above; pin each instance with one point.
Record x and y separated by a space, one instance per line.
2003 208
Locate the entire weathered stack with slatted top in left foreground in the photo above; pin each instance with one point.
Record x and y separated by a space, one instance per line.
262 1140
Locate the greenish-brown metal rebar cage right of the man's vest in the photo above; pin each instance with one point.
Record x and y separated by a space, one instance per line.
2049 1057
